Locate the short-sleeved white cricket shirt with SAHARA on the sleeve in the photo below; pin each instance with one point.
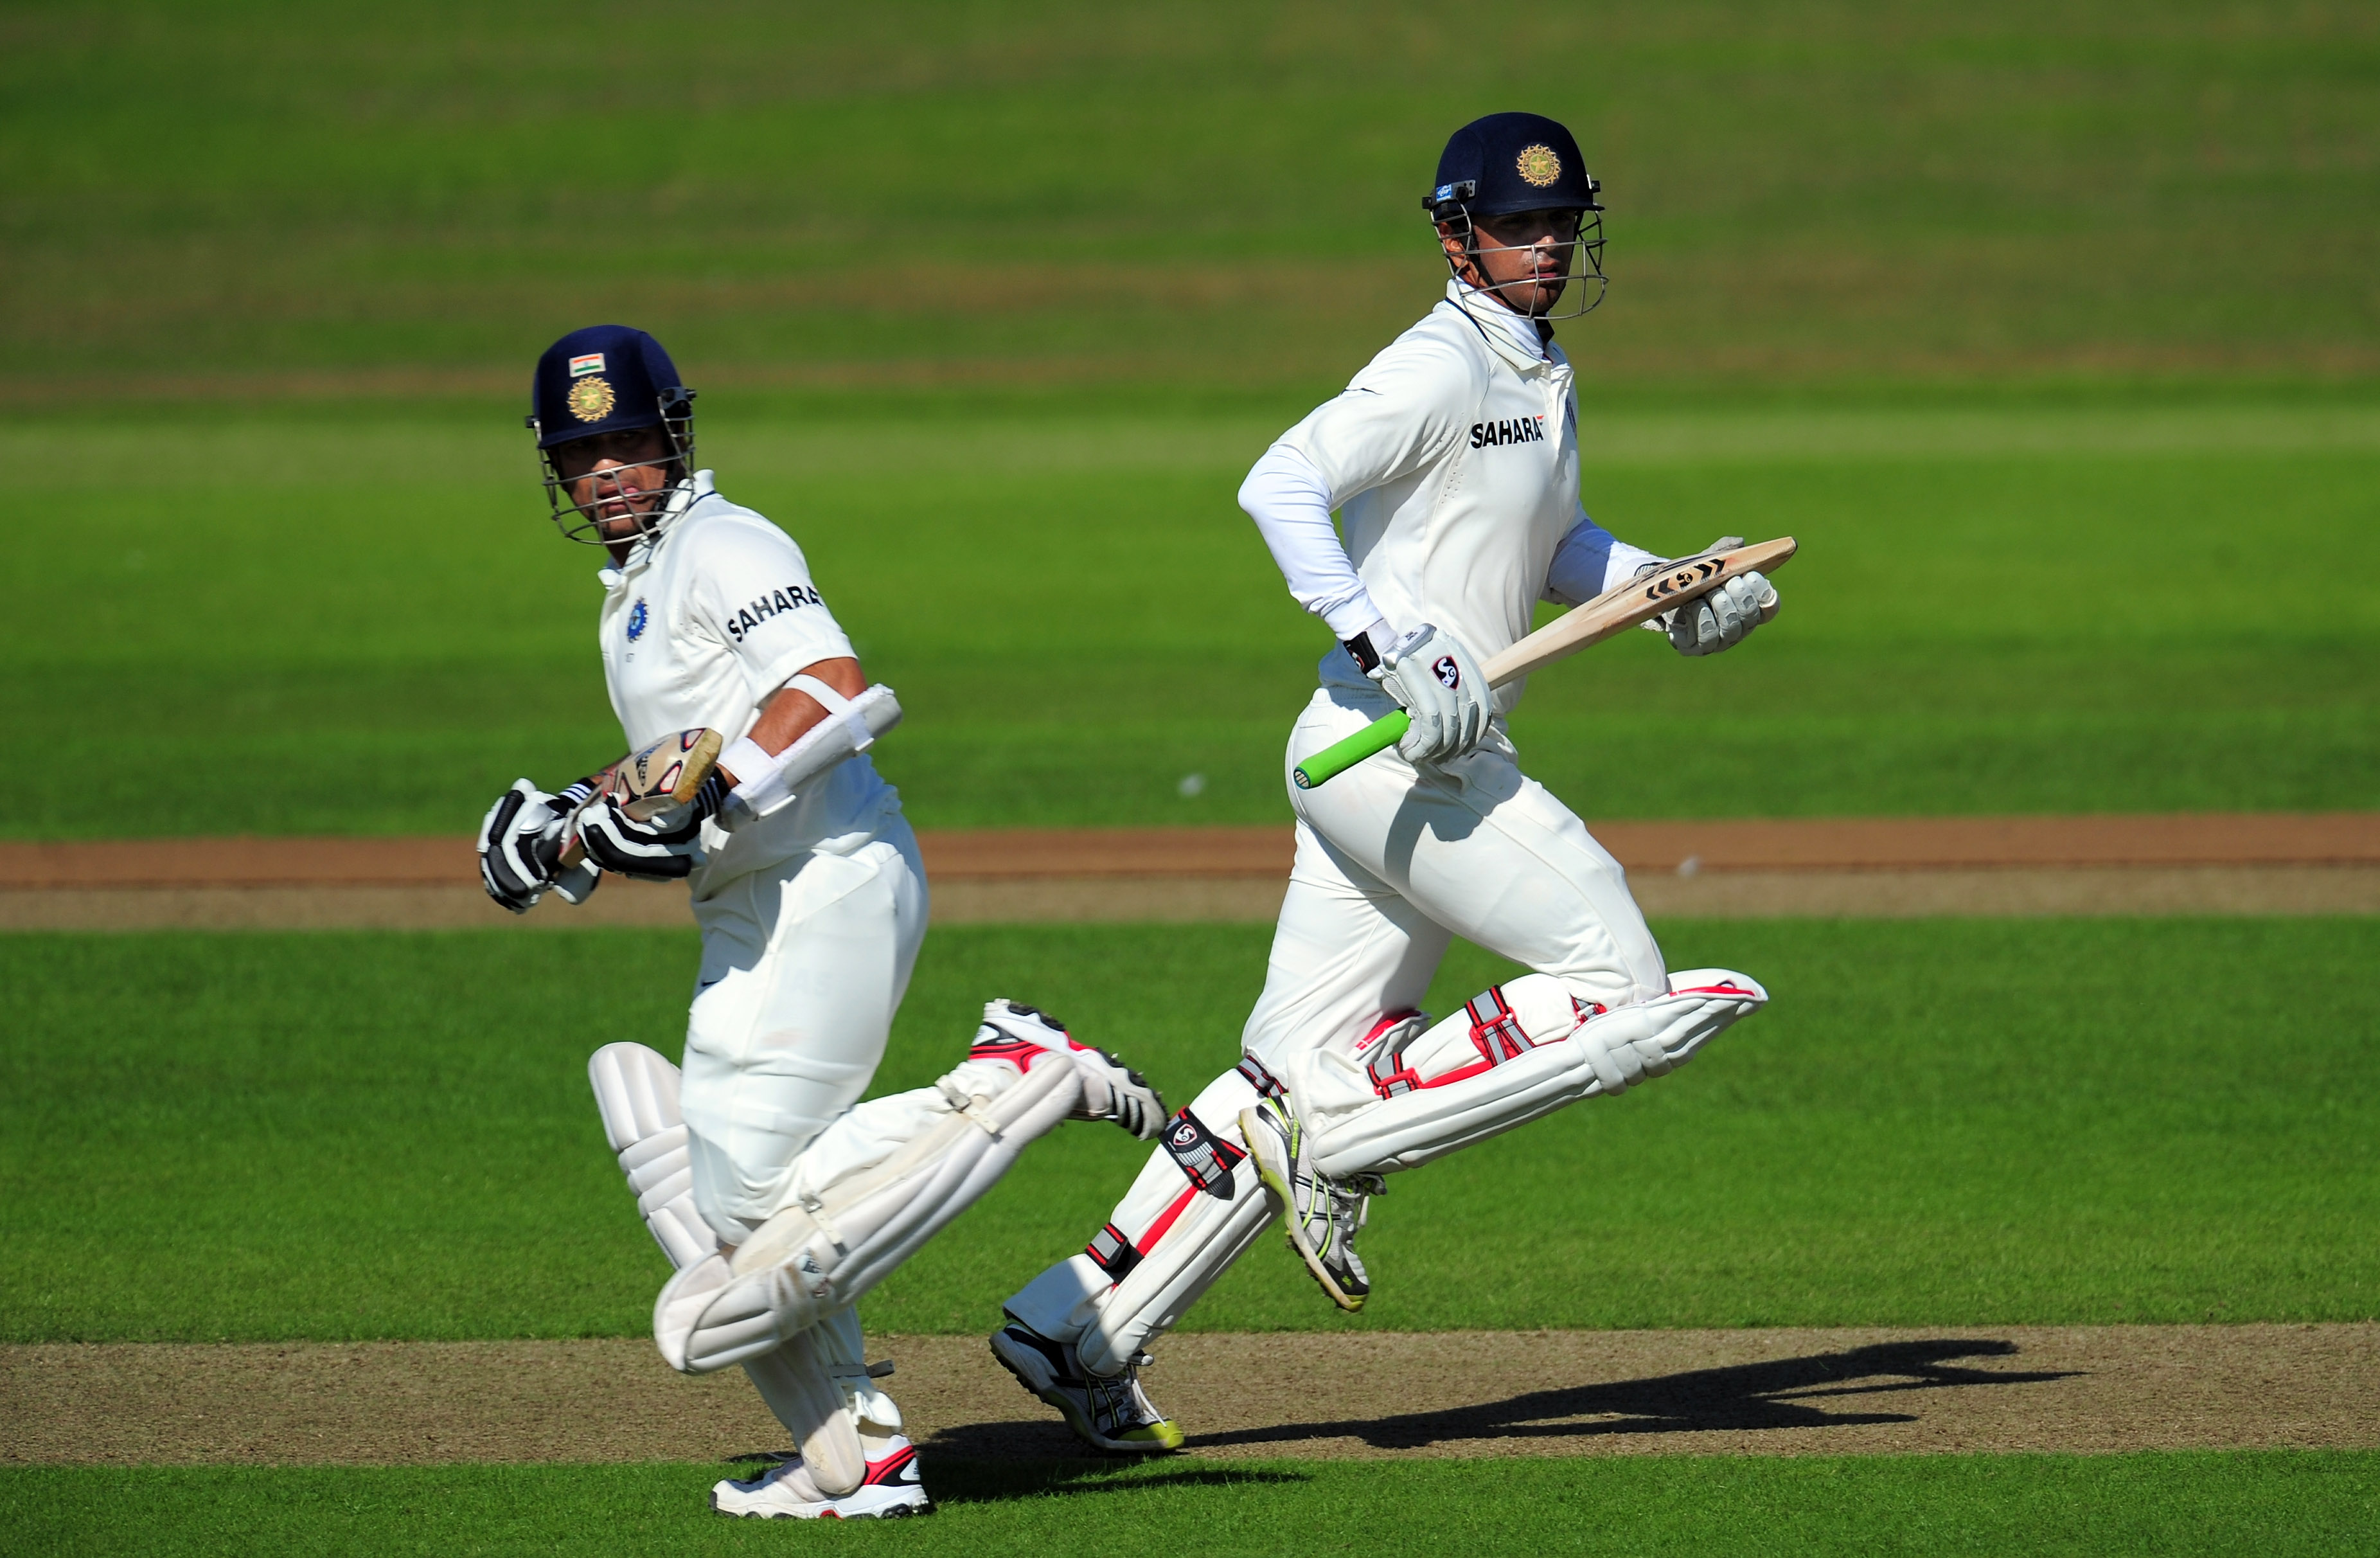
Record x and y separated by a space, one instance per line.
701 625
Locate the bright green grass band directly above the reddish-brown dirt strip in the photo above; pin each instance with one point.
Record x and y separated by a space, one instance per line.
327 623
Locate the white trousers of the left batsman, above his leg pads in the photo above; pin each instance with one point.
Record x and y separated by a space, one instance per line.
803 966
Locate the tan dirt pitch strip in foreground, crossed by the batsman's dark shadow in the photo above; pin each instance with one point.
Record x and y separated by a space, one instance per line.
1743 1392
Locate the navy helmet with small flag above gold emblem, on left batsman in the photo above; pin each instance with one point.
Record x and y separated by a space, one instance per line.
608 380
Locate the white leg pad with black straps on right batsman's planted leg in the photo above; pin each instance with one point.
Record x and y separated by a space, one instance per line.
1167 1242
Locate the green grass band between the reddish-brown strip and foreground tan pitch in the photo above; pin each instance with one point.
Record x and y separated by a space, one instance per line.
1936 1123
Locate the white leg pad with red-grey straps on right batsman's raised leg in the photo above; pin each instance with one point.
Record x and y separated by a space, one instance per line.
1472 1085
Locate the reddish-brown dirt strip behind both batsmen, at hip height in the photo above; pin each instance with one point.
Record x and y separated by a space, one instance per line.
2188 864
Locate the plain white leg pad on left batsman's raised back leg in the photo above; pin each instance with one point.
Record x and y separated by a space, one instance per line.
844 1238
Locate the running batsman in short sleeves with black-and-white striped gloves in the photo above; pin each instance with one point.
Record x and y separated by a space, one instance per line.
760 1173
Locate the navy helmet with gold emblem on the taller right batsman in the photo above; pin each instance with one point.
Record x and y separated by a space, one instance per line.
1520 163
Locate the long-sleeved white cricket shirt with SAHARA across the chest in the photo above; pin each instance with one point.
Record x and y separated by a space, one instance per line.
1453 463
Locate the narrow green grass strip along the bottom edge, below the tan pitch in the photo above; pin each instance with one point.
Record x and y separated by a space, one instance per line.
2219 1504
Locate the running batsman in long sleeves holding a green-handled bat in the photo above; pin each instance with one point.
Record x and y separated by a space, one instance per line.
1453 463
